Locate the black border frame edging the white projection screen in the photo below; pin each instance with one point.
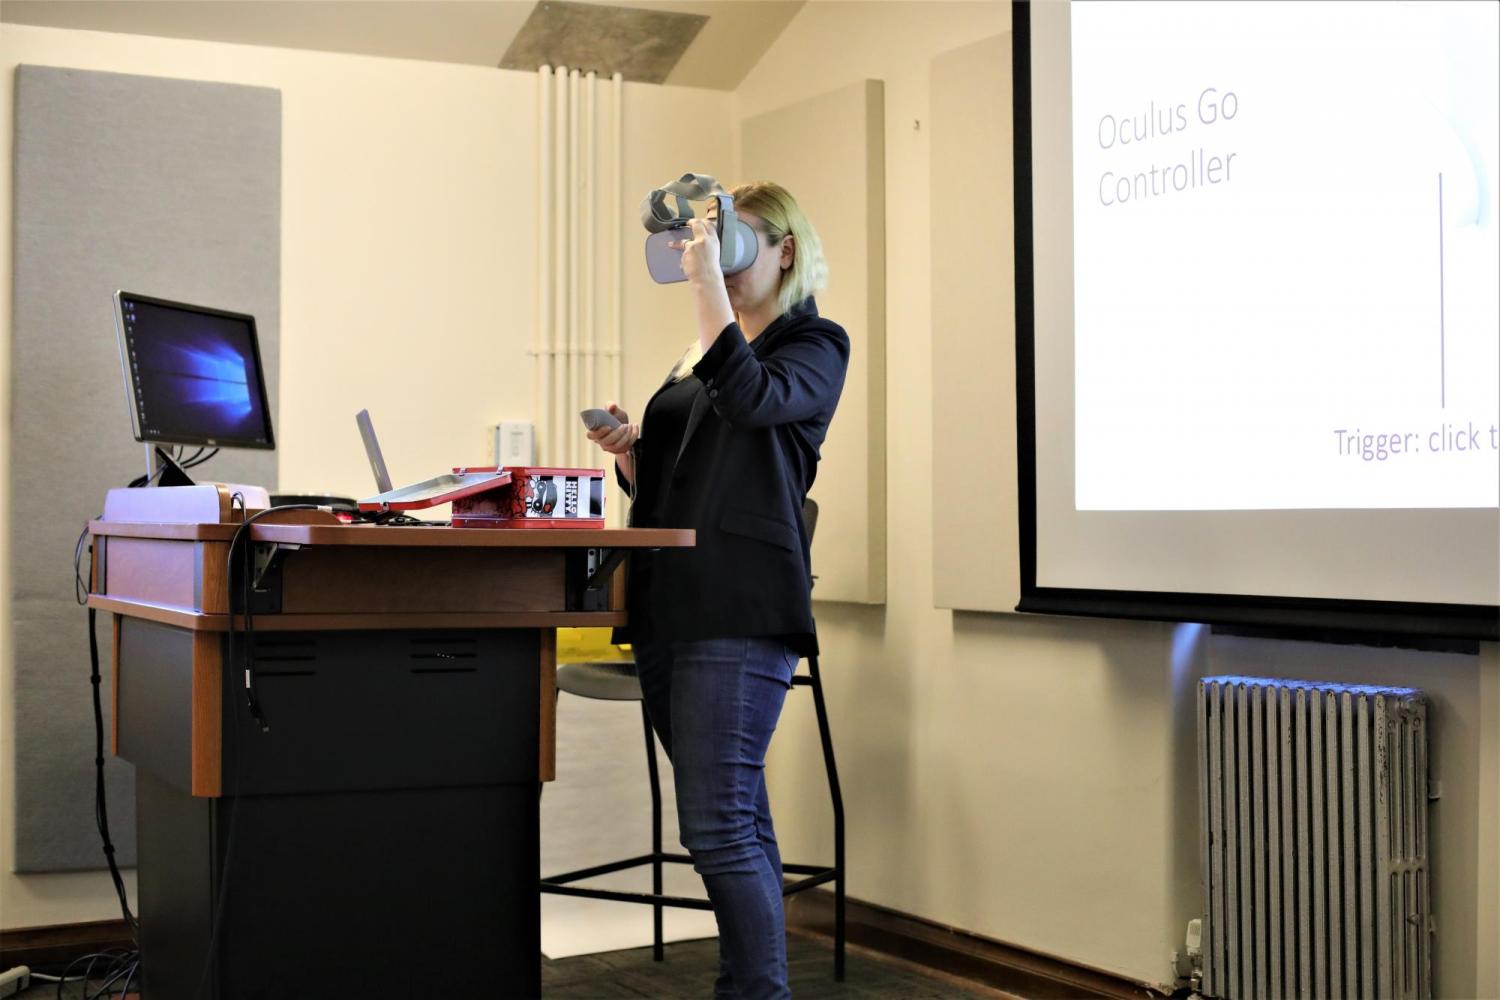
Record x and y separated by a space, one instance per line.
1379 623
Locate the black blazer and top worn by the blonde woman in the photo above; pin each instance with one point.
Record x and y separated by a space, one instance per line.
749 457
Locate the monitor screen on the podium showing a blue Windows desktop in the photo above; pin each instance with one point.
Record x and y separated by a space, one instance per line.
193 374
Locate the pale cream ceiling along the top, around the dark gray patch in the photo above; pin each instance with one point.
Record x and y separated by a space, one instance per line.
475 32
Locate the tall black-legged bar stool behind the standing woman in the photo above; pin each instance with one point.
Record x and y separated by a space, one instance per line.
617 681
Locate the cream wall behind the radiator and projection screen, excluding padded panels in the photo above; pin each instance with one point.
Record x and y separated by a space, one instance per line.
1030 779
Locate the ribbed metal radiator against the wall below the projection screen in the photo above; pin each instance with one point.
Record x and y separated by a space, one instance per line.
1313 834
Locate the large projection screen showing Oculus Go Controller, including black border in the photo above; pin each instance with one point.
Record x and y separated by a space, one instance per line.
1258 320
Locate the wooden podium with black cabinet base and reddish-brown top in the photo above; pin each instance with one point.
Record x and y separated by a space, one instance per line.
380 837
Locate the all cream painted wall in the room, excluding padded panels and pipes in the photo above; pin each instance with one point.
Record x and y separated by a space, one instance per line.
1019 777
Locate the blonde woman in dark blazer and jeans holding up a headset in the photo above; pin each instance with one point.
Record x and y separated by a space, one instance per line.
730 448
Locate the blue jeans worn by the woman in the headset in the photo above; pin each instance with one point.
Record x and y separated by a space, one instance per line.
715 705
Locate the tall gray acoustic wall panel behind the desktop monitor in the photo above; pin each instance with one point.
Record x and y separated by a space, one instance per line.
164 188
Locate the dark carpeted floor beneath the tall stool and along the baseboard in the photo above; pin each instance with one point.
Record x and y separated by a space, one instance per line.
689 974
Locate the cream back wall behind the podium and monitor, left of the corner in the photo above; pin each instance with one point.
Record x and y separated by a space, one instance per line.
409 244
